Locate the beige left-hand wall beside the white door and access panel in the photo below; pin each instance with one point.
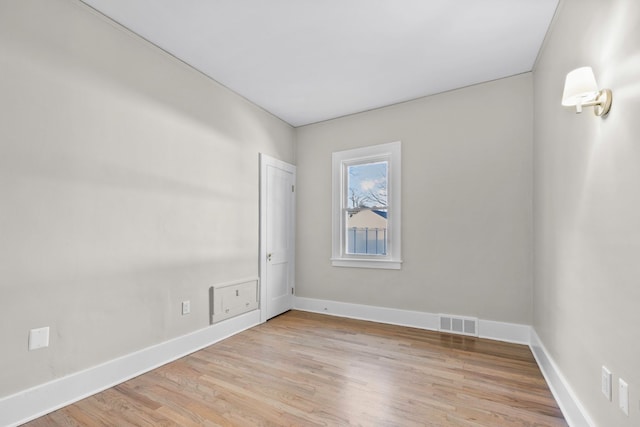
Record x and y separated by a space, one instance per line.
129 182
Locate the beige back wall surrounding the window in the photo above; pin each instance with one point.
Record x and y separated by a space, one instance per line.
466 189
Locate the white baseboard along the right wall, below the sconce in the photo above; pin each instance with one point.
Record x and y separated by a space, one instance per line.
571 408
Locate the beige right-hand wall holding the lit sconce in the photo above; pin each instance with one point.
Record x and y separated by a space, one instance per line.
587 205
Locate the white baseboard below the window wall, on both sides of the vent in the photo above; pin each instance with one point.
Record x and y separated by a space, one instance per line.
500 331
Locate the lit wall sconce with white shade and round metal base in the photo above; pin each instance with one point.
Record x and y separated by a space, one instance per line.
581 90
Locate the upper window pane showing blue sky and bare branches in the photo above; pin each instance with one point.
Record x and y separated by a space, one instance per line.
367 185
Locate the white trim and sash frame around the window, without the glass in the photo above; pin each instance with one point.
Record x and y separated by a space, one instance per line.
391 152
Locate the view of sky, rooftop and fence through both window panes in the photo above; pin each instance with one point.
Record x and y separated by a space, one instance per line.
367 208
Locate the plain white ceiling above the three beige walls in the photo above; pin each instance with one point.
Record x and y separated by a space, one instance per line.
311 60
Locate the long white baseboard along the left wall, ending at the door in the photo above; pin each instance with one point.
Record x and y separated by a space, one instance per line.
40 400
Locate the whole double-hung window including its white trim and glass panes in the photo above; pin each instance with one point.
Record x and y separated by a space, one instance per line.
366 207
